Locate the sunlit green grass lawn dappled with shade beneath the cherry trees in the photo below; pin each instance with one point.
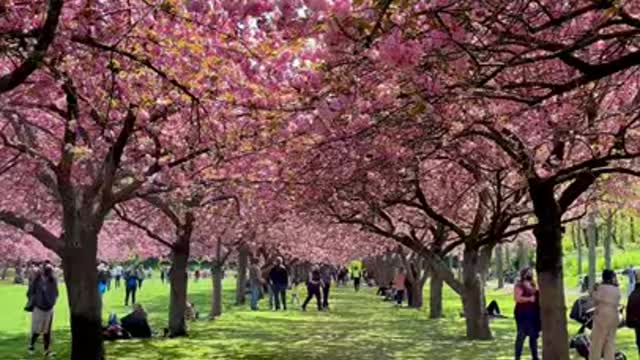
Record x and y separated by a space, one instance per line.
359 326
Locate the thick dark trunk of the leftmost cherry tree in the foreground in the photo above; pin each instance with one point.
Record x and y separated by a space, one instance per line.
81 278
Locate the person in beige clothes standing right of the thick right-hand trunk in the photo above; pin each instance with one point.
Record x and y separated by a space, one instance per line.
606 298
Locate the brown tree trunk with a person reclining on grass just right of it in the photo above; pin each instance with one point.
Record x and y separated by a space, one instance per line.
473 299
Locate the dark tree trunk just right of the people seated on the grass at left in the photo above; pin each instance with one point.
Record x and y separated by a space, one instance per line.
179 283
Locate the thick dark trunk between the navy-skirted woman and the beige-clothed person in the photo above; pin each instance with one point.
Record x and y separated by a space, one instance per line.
548 234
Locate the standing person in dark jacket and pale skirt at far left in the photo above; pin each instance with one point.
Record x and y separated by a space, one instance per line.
42 296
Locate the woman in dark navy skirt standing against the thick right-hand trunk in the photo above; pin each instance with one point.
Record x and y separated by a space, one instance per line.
527 313
